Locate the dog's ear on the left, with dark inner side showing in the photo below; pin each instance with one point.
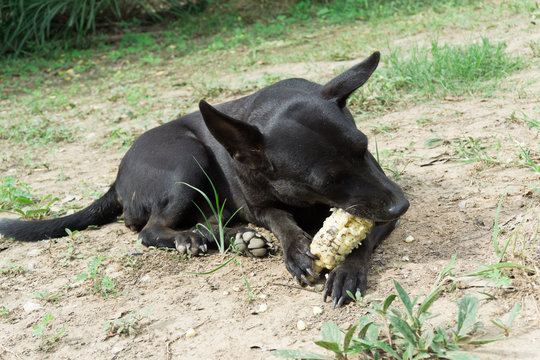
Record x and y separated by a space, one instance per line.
244 142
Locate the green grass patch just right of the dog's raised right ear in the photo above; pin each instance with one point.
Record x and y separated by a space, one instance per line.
435 72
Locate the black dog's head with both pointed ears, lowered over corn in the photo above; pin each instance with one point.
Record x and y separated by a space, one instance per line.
302 140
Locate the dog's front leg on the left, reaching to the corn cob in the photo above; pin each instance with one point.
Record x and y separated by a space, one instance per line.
294 241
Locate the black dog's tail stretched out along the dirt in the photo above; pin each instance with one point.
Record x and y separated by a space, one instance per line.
102 211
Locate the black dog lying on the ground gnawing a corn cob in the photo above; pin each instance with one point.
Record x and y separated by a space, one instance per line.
285 155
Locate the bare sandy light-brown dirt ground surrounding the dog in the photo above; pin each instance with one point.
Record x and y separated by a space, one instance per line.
453 207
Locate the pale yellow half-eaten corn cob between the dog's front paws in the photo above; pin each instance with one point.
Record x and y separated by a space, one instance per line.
340 234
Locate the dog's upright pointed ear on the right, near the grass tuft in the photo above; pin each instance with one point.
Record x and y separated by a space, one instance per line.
342 86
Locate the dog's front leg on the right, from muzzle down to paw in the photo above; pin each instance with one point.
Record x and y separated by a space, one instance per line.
351 275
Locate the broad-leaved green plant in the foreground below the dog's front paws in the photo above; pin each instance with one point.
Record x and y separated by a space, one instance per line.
403 334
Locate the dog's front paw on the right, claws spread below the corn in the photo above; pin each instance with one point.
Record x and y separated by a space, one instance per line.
345 277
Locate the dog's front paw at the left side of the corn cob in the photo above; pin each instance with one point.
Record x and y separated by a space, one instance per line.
299 259
